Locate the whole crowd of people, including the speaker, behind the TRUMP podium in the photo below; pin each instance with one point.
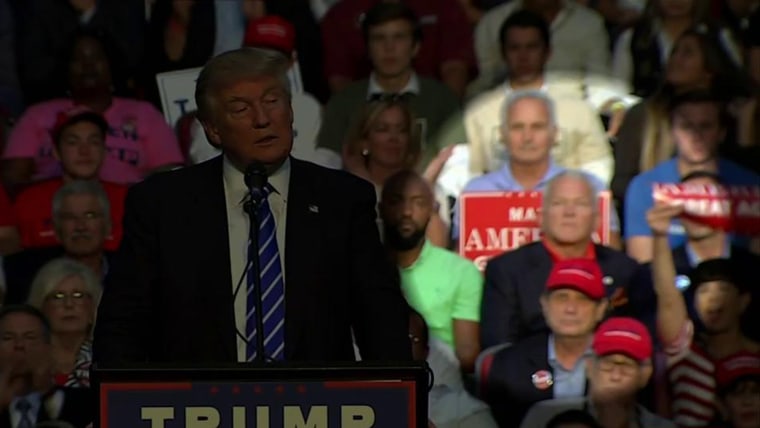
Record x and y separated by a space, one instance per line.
372 120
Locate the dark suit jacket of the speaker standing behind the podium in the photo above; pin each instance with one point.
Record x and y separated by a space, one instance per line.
168 296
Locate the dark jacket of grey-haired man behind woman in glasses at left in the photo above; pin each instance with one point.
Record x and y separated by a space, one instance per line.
21 268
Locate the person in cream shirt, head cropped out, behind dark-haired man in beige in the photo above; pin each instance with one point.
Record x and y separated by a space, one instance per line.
580 45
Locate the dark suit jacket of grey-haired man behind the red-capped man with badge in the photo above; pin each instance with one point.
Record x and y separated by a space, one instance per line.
516 279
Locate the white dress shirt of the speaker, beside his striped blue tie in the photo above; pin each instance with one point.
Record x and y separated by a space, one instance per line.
235 191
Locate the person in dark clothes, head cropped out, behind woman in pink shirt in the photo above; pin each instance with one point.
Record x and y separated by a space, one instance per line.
49 25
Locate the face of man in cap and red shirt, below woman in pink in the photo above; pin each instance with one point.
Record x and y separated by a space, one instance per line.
81 150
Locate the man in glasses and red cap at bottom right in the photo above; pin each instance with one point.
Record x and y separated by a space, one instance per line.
620 367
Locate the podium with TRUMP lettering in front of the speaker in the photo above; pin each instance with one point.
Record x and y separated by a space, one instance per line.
355 395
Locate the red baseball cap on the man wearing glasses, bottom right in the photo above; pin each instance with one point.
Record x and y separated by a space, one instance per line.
623 335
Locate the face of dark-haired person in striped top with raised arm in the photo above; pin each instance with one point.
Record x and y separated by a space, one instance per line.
719 306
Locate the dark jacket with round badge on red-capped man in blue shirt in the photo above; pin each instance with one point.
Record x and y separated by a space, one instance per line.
509 388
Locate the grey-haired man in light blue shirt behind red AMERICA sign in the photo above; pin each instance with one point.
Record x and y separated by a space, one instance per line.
529 132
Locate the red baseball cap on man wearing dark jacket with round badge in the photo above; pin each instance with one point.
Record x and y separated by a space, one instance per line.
583 275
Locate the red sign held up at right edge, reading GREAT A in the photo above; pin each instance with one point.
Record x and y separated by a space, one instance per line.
730 208
